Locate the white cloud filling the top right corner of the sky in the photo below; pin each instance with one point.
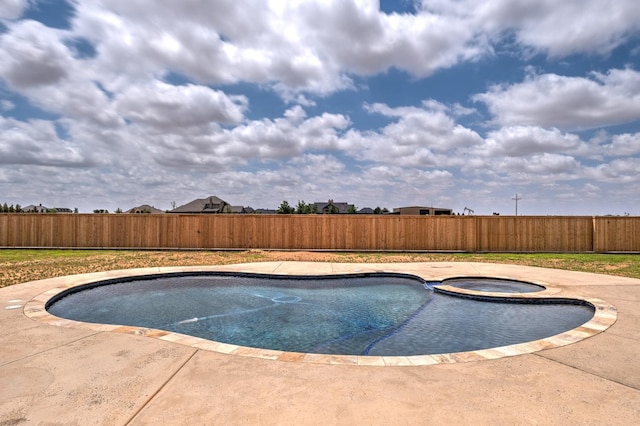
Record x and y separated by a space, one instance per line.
557 28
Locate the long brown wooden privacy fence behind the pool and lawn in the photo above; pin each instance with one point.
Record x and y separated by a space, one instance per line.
323 232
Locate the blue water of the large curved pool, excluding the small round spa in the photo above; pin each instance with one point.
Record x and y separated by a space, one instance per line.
376 314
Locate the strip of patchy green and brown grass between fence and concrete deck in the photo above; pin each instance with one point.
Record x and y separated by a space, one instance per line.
21 265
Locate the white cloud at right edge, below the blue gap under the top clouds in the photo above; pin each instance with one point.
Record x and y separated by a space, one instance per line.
550 100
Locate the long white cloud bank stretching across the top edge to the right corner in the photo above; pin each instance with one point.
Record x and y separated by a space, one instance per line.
314 47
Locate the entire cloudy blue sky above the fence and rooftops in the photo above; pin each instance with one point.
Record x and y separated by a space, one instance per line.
116 103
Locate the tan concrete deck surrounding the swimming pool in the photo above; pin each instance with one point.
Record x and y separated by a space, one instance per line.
68 374
